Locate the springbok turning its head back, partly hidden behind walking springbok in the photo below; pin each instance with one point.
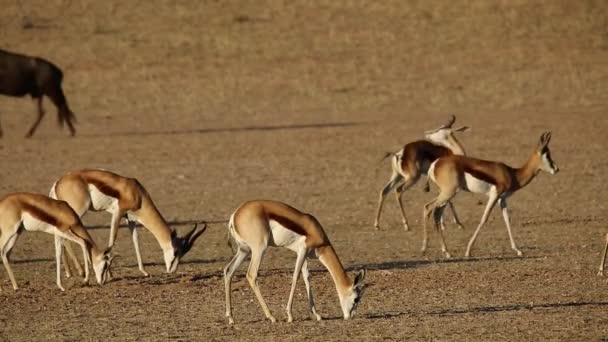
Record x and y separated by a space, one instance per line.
414 159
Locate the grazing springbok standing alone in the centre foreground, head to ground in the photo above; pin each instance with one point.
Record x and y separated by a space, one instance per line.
255 225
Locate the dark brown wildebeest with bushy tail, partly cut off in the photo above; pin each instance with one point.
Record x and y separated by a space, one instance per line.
21 75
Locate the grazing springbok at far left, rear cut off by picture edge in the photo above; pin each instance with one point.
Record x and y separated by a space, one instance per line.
36 212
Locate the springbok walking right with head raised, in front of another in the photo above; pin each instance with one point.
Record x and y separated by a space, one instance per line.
494 179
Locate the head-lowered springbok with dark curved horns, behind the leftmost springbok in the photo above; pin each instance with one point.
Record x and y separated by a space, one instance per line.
101 190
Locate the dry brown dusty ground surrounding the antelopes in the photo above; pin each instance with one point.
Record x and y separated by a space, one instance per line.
211 103
